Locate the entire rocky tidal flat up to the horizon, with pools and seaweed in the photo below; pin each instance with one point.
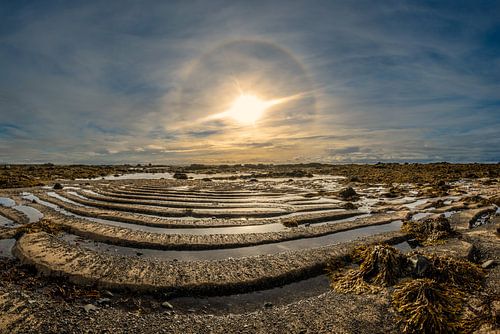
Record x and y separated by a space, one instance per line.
245 248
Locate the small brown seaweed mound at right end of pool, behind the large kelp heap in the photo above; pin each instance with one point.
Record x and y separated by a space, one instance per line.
429 231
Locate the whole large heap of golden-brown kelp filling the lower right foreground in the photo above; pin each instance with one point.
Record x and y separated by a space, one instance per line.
429 290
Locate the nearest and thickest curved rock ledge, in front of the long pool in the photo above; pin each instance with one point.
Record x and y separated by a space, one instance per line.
51 256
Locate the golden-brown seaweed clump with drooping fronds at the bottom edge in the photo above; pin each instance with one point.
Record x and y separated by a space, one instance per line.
428 306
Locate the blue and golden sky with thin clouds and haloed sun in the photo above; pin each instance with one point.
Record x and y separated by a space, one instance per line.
338 81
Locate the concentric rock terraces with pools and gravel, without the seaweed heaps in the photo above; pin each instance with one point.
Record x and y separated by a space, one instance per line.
219 253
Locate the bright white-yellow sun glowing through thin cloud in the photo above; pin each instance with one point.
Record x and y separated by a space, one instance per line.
247 109
